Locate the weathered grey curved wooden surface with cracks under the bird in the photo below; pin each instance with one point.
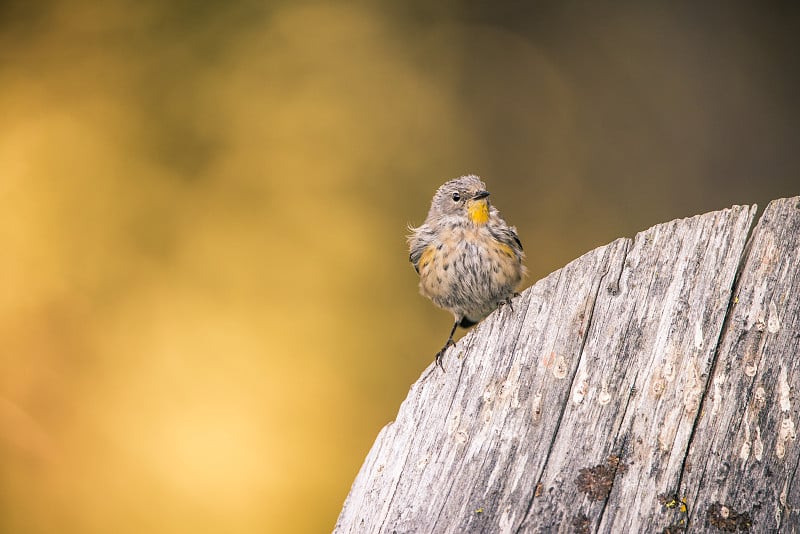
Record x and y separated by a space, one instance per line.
644 387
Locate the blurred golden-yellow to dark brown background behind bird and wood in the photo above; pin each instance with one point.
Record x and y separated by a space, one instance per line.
206 307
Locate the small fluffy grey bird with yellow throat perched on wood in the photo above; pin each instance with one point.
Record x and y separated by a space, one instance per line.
468 259
